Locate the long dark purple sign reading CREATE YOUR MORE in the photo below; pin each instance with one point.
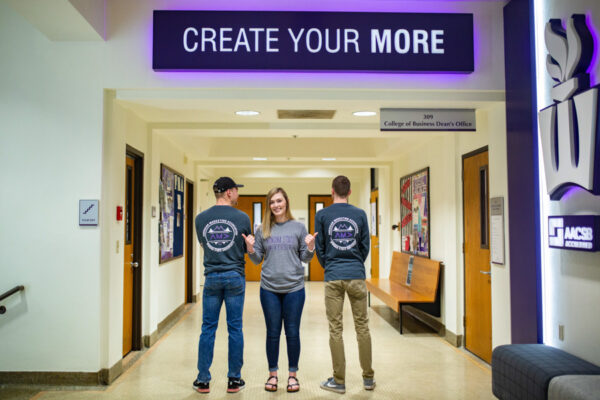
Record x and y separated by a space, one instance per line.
342 41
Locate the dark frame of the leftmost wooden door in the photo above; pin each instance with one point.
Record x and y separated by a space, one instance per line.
136 329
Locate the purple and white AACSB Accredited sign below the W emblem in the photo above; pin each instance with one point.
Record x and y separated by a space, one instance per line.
574 232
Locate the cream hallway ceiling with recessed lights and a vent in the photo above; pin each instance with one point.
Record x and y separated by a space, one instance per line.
203 123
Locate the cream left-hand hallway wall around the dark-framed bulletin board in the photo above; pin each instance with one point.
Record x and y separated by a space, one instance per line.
162 284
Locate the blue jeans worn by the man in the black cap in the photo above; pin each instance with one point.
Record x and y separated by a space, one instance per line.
218 286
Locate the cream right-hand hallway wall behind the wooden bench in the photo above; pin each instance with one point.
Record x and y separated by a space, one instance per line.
443 156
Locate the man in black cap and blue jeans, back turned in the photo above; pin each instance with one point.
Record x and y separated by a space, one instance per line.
219 231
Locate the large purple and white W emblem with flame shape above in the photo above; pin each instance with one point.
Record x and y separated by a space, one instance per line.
569 128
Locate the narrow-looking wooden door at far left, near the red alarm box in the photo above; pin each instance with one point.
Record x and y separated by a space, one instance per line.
128 255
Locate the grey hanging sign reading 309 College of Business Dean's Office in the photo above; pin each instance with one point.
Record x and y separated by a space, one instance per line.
412 119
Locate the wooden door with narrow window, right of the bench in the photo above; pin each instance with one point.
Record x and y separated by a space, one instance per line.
478 279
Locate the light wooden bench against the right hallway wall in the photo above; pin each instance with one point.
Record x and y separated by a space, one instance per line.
423 292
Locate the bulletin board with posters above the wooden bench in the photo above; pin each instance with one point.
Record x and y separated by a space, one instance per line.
414 213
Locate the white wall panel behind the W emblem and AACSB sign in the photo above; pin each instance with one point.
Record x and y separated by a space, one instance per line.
571 279
